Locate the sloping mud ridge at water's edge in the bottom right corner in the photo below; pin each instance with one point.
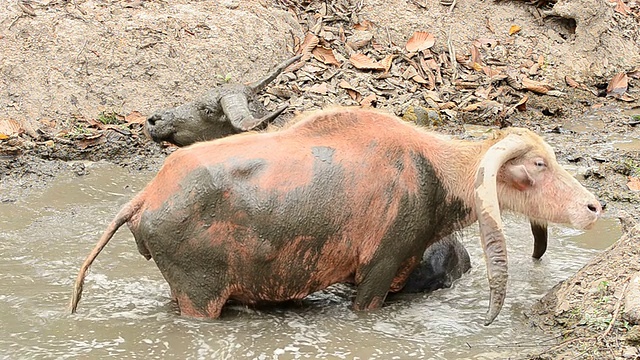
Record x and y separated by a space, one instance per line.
595 313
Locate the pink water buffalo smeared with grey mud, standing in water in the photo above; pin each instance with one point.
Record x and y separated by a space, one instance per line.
343 195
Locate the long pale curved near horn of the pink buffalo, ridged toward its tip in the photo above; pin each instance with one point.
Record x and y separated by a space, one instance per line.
488 211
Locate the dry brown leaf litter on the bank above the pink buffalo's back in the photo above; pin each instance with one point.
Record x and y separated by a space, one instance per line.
347 62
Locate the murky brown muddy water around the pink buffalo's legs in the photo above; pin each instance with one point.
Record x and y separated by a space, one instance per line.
126 311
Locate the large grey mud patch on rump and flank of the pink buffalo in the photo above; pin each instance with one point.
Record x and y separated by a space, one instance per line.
254 224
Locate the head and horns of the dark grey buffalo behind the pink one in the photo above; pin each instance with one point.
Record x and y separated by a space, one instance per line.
223 111
